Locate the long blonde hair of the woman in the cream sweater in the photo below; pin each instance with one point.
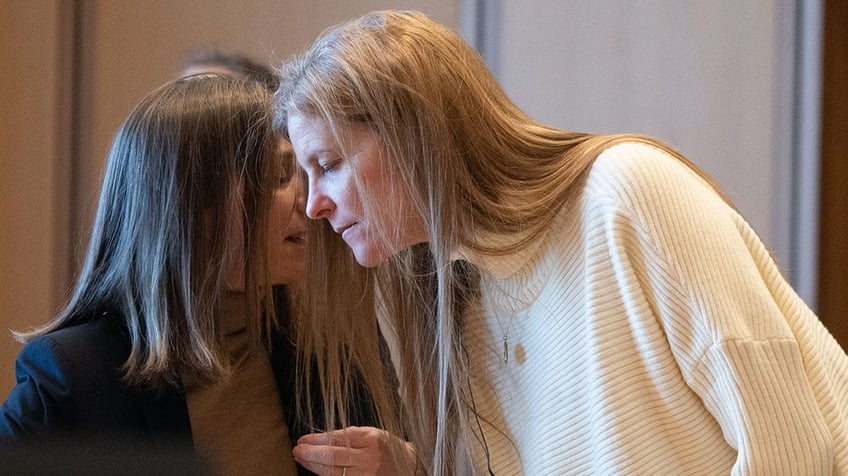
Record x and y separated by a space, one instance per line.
473 164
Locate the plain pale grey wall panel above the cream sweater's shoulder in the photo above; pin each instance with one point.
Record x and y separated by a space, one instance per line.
706 77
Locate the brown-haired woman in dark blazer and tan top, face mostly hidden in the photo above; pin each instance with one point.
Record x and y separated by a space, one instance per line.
178 331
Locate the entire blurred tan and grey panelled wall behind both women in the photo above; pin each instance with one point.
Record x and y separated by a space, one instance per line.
755 92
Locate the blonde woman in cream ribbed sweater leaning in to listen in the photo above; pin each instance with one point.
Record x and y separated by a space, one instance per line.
555 302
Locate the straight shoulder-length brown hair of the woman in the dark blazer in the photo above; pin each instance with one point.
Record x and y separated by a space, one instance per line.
194 159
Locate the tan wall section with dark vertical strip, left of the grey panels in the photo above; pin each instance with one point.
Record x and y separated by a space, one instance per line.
56 126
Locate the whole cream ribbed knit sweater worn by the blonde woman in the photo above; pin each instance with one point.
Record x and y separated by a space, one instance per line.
653 334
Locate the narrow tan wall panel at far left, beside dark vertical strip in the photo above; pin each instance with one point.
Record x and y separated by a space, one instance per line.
29 185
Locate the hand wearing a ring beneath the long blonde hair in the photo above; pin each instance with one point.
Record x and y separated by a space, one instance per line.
353 451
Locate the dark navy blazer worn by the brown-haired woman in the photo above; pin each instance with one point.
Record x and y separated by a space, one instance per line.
69 386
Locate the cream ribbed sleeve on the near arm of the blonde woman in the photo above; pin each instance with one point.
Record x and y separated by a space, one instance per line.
712 286
